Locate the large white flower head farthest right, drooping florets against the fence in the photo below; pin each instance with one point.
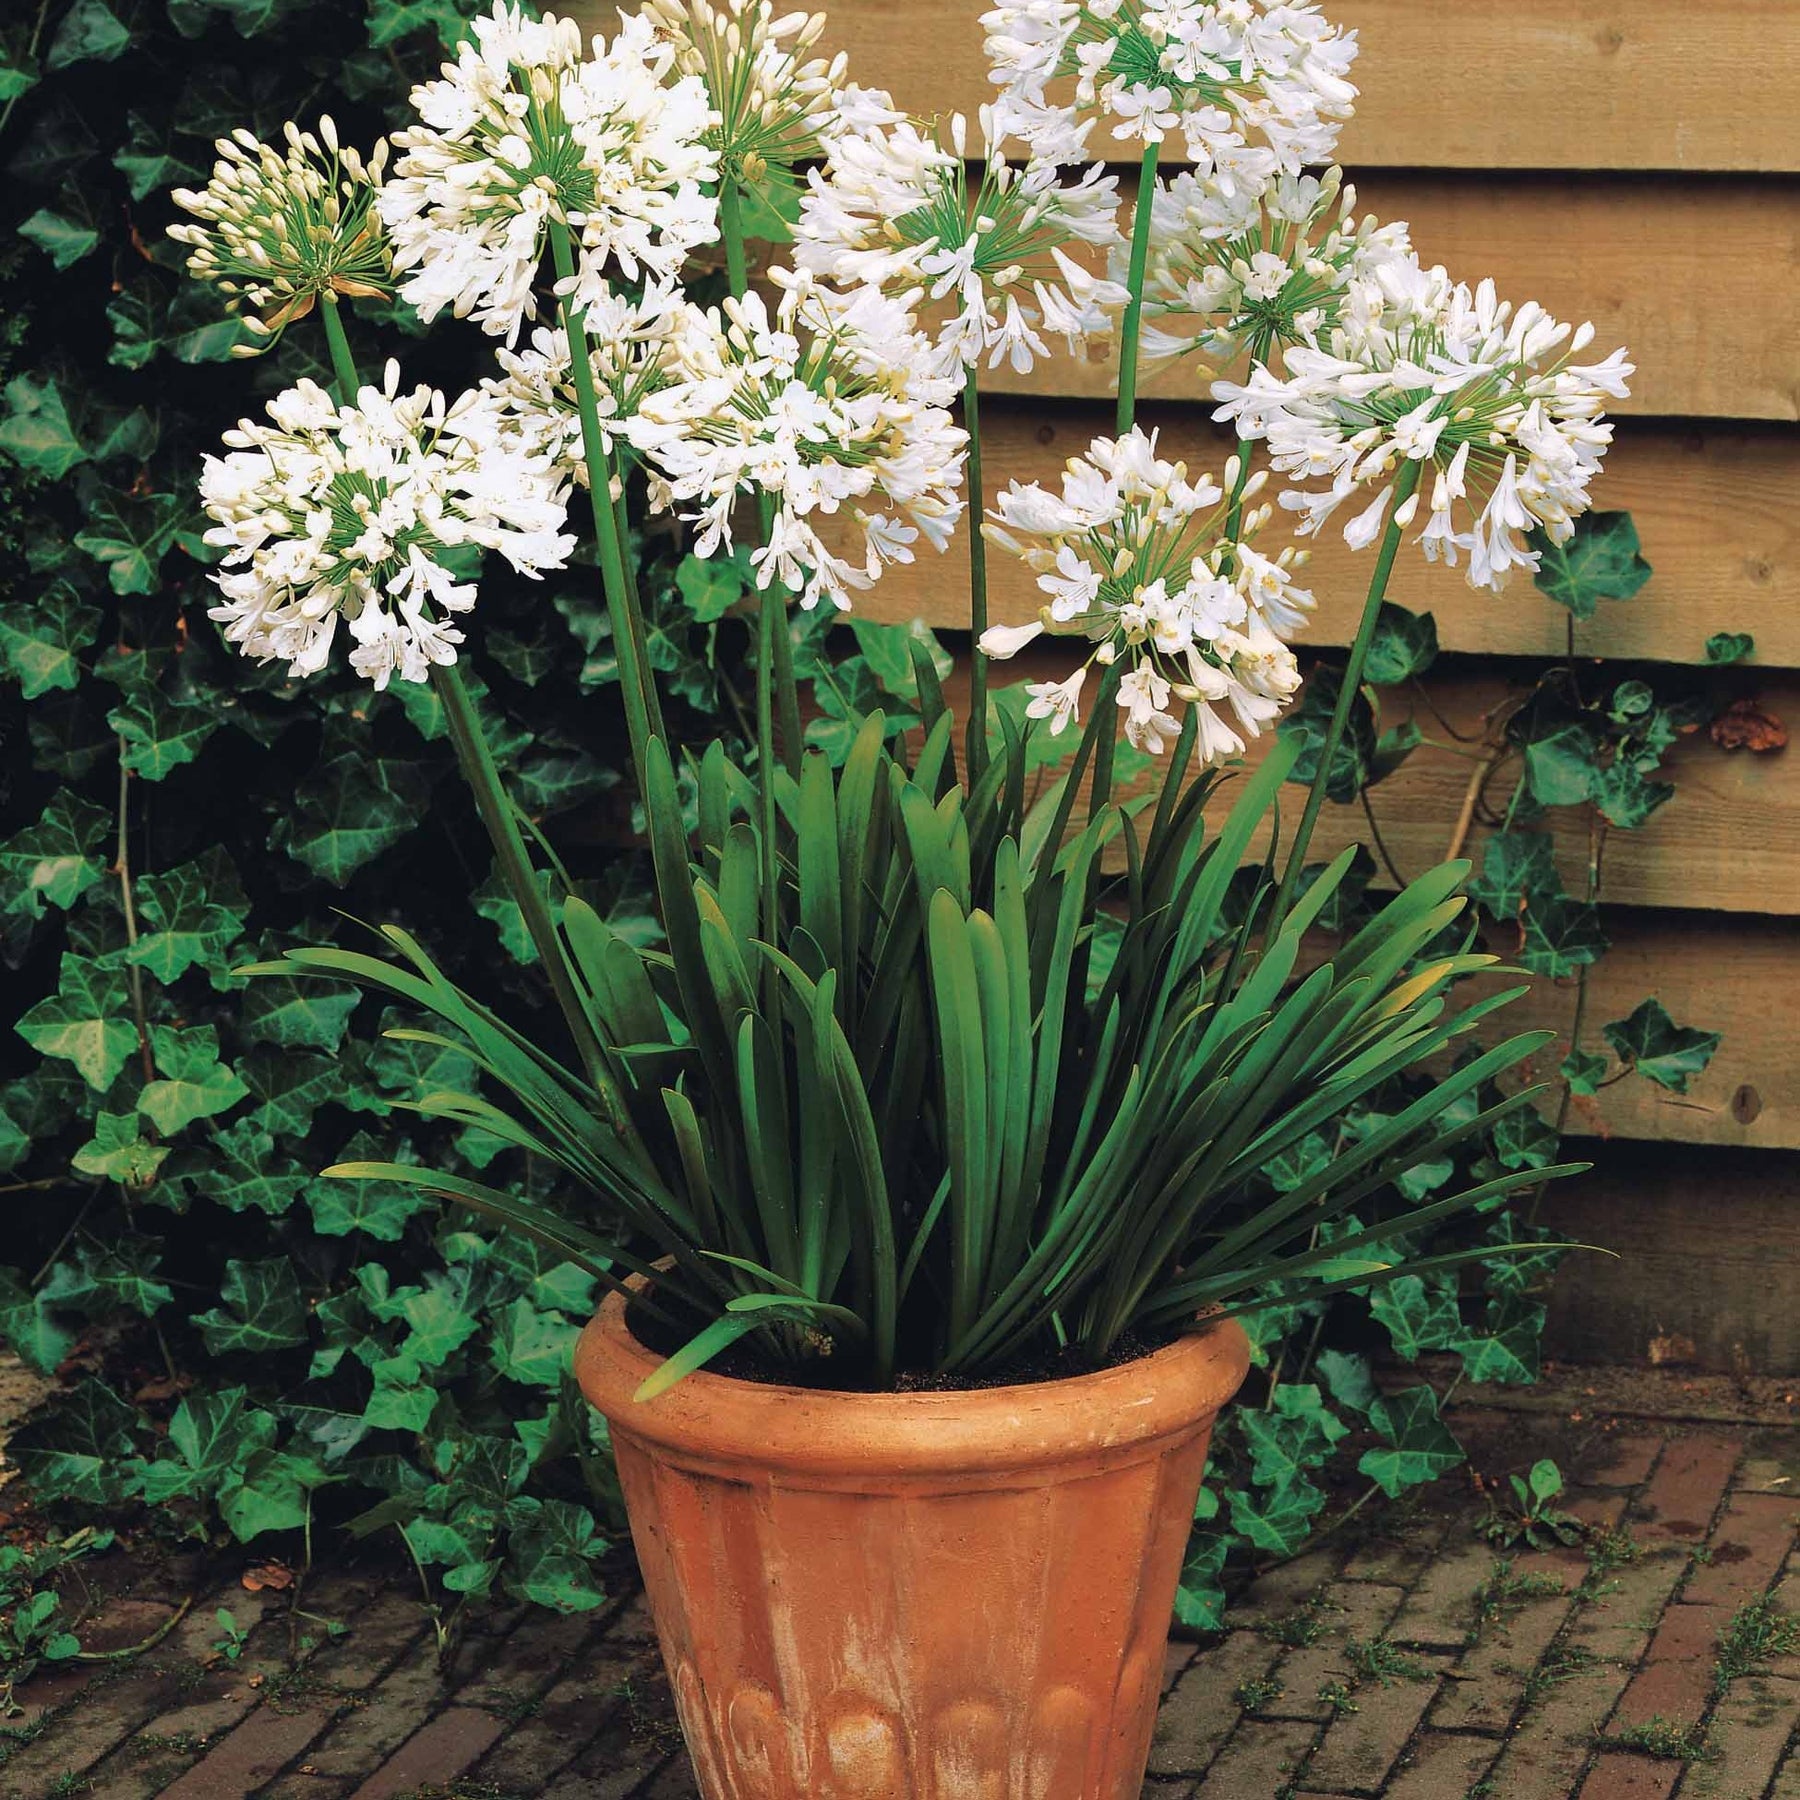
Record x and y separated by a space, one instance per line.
1506 426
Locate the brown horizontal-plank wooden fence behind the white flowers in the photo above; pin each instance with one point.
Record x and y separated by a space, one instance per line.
1635 163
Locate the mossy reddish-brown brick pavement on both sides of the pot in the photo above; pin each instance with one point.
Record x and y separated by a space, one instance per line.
1412 1664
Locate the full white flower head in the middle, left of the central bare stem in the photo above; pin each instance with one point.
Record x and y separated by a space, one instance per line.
829 404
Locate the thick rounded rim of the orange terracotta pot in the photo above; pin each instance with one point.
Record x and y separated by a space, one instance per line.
719 1419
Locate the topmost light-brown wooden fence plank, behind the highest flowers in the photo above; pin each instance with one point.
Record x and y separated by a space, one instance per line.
1529 85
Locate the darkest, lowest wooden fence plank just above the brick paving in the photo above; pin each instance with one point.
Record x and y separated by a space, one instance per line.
1705 1270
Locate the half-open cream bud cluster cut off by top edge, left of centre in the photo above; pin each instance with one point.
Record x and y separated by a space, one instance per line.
773 105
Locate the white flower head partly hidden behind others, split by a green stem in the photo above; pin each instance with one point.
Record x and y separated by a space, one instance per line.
636 350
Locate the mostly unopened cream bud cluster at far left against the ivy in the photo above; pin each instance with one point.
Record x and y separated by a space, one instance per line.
282 228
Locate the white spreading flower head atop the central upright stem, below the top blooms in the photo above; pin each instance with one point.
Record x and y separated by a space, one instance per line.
895 208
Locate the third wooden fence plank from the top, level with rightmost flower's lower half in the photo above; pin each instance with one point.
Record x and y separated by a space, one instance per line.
1714 508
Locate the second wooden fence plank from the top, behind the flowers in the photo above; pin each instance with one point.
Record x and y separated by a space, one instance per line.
1617 251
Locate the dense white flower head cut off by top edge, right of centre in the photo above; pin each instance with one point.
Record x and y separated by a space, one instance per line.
1252 87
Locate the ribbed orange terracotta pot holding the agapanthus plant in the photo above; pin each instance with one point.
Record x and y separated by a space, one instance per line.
915 1597
